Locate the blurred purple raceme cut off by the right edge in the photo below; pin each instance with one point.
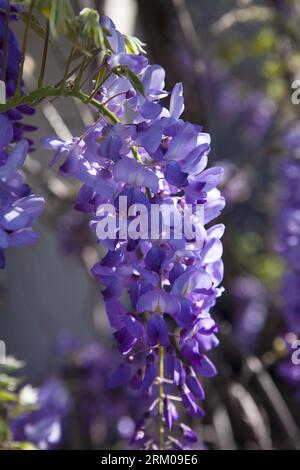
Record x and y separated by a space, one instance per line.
288 248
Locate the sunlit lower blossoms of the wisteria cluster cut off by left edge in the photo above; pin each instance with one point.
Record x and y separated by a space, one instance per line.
19 207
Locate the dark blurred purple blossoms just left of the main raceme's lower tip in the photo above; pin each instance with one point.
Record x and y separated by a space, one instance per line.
102 414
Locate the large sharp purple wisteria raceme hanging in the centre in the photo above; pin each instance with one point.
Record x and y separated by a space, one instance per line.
160 281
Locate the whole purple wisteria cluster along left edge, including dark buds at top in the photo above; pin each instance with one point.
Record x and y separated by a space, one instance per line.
19 207
